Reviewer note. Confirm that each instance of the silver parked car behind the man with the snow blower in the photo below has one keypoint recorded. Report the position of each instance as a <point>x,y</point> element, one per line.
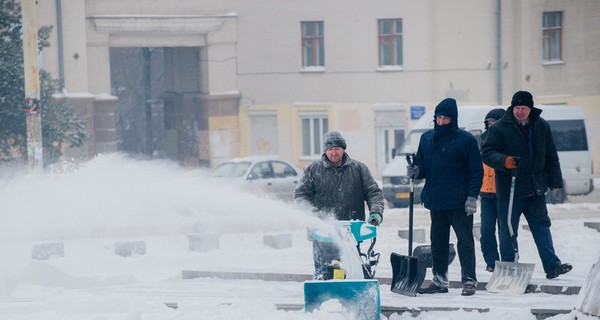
<point>263,175</point>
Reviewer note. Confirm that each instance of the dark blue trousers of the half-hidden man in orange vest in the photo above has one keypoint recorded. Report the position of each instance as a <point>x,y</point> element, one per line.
<point>489,220</point>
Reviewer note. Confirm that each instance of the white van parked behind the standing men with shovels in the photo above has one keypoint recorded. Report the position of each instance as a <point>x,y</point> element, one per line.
<point>568,129</point>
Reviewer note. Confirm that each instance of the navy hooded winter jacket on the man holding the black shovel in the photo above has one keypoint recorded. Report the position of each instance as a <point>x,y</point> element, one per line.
<point>450,161</point>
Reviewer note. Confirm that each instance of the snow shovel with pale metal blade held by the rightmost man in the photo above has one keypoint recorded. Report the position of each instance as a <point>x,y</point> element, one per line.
<point>511,277</point>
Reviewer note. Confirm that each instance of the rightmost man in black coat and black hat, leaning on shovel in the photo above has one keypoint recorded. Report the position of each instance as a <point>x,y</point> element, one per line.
<point>523,136</point>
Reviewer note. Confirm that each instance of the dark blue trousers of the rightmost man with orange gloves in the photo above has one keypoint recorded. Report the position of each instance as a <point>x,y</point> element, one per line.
<point>535,211</point>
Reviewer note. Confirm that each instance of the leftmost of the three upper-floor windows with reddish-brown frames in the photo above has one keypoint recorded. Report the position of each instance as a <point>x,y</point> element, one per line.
<point>313,46</point>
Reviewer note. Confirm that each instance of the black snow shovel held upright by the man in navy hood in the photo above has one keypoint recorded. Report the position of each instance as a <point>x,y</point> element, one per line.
<point>407,273</point>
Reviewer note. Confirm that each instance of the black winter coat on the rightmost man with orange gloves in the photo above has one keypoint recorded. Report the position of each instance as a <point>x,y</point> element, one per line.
<point>539,167</point>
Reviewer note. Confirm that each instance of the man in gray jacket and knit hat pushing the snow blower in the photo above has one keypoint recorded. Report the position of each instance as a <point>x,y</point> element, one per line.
<point>338,187</point>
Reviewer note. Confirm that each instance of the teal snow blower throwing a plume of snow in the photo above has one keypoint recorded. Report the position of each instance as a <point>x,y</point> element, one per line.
<point>352,281</point>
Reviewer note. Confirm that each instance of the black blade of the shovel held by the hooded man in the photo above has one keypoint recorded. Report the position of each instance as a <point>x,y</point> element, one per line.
<point>408,274</point>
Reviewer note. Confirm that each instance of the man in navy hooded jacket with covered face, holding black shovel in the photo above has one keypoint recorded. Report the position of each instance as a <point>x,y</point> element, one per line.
<point>449,159</point>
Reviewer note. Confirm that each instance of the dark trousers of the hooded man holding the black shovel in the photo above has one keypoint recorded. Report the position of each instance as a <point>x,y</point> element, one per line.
<point>441,221</point>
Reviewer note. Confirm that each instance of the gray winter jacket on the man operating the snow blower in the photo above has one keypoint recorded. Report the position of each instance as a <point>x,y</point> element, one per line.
<point>339,191</point>
